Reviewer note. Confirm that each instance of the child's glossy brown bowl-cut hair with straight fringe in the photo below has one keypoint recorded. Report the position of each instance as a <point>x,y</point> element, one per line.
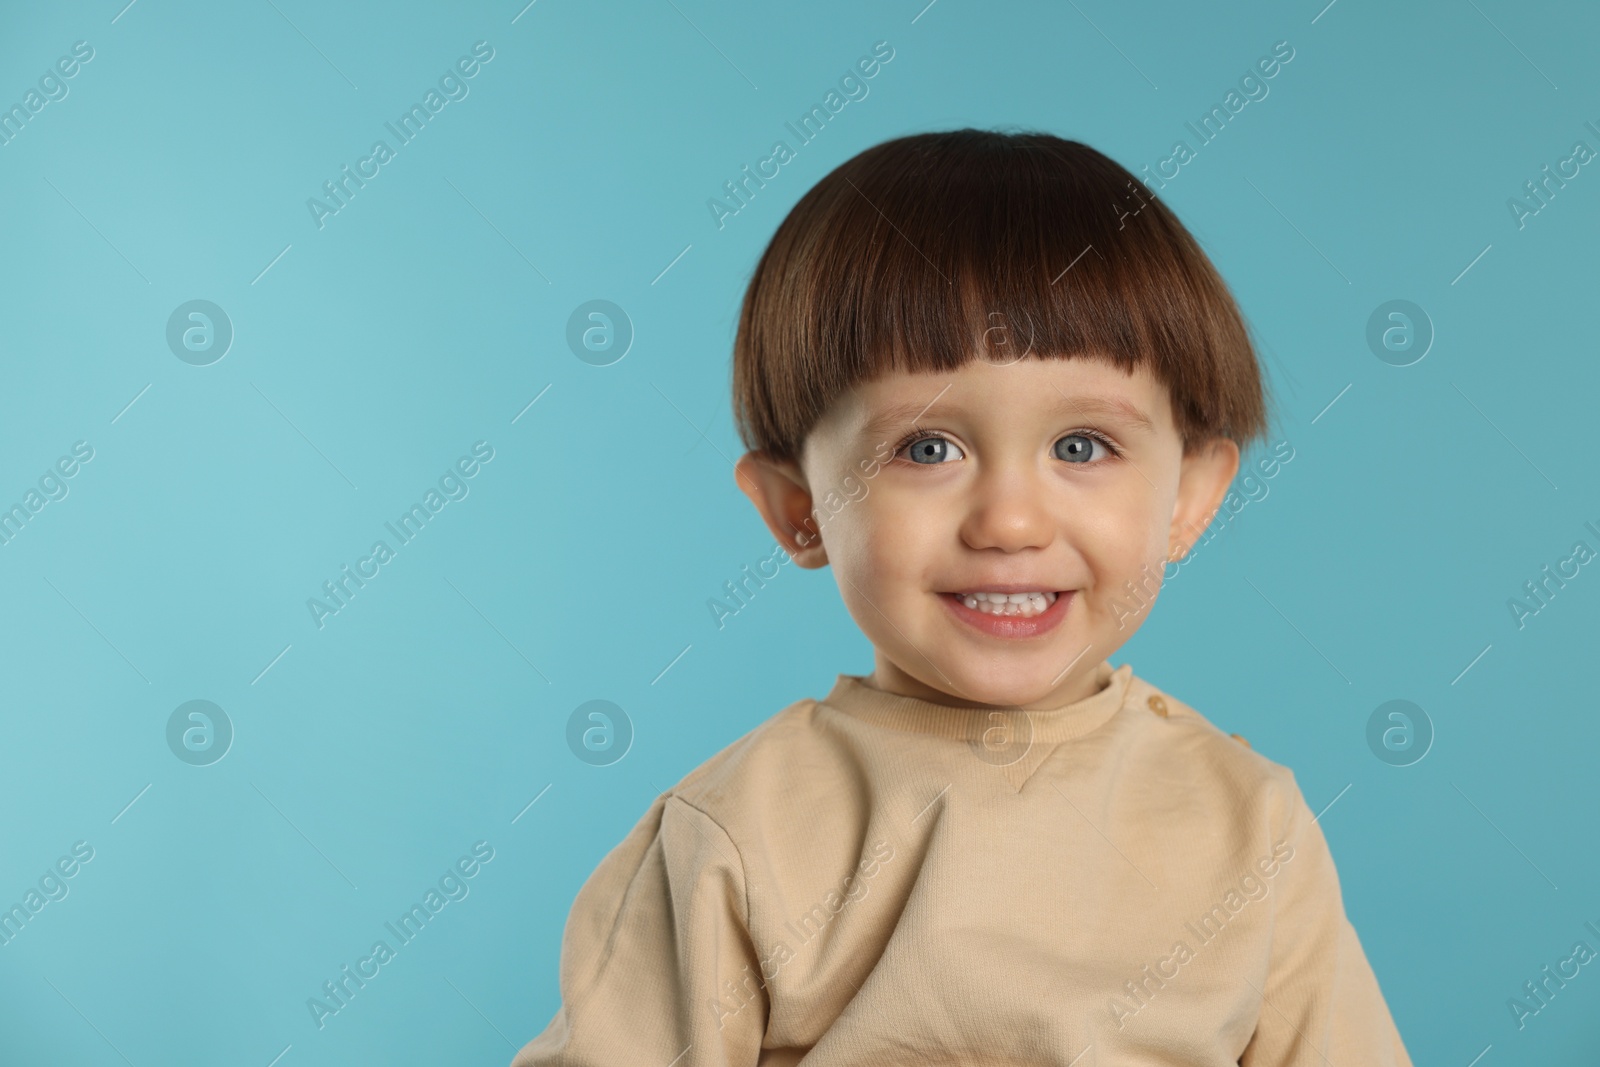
<point>932,250</point>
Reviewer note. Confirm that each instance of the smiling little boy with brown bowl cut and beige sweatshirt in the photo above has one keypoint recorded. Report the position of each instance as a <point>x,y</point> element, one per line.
<point>996,849</point>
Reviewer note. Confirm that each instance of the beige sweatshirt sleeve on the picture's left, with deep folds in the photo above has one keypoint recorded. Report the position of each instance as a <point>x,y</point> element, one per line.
<point>657,964</point>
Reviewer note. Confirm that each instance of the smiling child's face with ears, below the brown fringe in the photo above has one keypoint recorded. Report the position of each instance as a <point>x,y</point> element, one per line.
<point>991,478</point>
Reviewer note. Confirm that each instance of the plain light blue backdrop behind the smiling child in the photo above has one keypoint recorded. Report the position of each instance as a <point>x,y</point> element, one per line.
<point>428,314</point>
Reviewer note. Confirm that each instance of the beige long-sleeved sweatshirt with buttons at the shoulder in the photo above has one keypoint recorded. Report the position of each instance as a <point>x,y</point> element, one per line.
<point>874,879</point>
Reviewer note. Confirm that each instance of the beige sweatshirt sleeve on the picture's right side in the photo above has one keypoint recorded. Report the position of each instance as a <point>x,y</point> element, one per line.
<point>1321,1001</point>
